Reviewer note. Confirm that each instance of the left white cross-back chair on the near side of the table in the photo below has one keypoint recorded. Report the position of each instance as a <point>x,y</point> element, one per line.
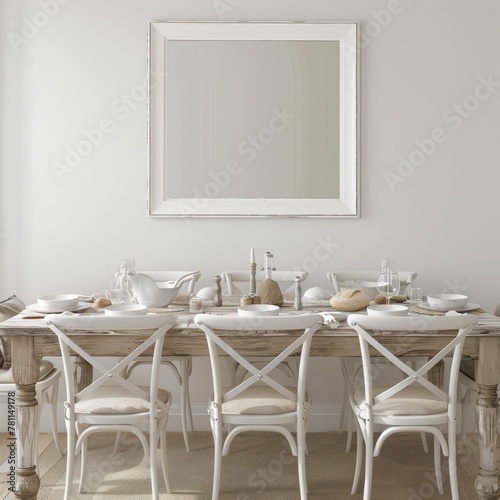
<point>111,402</point>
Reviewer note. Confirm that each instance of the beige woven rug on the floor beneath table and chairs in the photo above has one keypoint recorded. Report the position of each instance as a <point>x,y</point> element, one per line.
<point>260,466</point>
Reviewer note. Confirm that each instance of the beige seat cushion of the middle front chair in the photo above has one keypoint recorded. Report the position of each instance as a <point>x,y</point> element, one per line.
<point>260,400</point>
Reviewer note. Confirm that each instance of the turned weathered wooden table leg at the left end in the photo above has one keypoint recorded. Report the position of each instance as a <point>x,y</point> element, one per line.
<point>25,373</point>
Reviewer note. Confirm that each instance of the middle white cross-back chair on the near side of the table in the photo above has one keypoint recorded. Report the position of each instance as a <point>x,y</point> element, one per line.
<point>260,402</point>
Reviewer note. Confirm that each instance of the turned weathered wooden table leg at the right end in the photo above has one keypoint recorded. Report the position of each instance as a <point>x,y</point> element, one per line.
<point>487,483</point>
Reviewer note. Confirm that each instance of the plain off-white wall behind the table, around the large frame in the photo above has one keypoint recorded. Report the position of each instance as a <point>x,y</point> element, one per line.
<point>420,66</point>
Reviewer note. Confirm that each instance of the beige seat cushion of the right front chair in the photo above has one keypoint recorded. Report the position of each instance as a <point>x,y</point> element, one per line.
<point>413,400</point>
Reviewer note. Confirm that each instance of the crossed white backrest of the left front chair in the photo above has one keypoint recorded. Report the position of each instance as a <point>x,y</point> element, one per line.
<point>63,325</point>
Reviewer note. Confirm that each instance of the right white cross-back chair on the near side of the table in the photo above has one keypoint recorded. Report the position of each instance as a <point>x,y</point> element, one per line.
<point>413,404</point>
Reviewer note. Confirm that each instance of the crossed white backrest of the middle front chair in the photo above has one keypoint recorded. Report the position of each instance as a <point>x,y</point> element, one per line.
<point>307,323</point>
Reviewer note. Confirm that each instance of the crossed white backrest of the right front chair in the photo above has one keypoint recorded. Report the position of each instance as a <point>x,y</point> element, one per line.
<point>461,325</point>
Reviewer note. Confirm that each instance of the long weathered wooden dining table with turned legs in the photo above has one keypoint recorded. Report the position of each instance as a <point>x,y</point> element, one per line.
<point>31,340</point>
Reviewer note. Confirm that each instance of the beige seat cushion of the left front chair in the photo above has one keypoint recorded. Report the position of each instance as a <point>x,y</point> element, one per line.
<point>114,400</point>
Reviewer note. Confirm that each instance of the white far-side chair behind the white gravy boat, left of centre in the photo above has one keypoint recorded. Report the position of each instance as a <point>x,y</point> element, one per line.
<point>181,366</point>
